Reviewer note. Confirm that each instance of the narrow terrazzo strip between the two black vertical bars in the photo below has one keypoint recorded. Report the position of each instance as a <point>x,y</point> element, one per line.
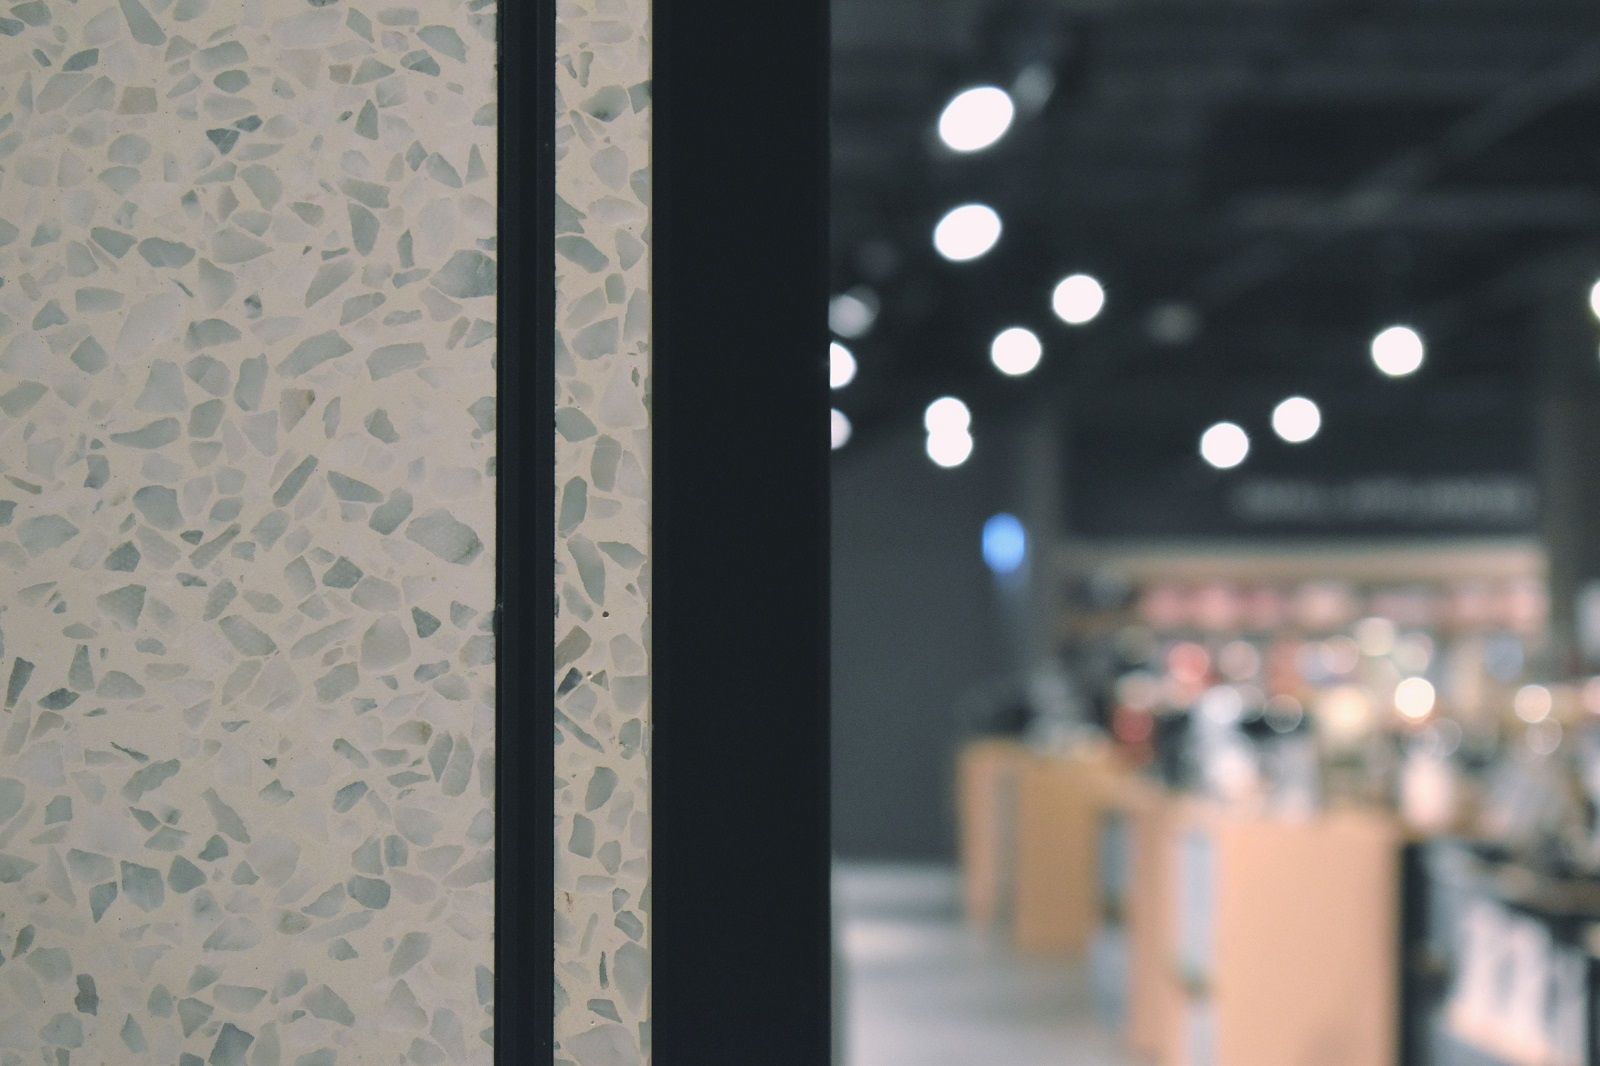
<point>602,459</point>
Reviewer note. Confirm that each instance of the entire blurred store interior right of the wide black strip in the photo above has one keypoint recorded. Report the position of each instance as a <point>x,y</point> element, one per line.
<point>1217,532</point>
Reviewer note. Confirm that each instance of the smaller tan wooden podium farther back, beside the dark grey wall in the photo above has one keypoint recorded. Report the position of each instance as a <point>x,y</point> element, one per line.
<point>1030,843</point>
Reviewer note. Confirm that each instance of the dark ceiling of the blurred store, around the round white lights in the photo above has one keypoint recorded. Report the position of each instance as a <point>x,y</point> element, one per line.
<point>1295,174</point>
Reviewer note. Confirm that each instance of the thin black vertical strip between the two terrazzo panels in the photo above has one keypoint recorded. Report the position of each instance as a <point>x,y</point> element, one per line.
<point>526,540</point>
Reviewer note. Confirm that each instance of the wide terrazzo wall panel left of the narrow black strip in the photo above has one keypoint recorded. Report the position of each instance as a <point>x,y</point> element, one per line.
<point>247,406</point>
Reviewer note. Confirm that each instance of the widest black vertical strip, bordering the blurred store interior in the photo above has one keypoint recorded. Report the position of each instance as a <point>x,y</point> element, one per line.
<point>740,918</point>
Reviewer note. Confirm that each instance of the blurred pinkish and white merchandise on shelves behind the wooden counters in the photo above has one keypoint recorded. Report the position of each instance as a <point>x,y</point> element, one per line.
<point>1430,699</point>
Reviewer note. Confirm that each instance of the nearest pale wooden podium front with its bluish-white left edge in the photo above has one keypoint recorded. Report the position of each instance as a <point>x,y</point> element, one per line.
<point>1281,940</point>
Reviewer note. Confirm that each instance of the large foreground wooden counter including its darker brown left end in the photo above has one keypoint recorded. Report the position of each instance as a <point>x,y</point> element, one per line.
<point>1247,940</point>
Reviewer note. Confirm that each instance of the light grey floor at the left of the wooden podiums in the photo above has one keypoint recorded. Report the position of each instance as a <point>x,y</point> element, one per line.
<point>922,990</point>
